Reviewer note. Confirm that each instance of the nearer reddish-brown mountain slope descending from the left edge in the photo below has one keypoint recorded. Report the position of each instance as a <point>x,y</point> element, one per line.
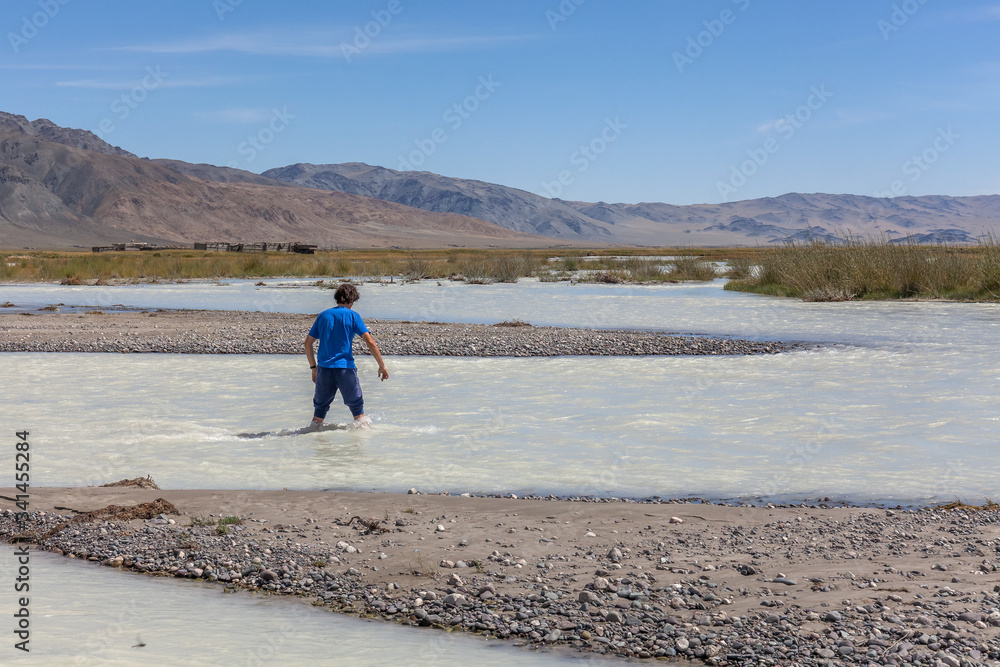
<point>55,194</point>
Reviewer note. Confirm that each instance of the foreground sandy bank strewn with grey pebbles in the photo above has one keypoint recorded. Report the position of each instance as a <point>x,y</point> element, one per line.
<point>720,585</point>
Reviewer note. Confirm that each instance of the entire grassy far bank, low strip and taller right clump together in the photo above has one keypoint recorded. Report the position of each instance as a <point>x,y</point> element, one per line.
<point>854,269</point>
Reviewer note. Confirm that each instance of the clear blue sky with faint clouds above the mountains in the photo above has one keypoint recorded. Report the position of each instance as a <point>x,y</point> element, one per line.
<point>671,100</point>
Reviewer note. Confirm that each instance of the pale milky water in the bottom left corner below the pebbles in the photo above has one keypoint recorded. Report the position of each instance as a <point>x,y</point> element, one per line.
<point>83,614</point>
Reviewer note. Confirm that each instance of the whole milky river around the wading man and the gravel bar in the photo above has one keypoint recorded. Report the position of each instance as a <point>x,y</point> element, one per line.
<point>902,407</point>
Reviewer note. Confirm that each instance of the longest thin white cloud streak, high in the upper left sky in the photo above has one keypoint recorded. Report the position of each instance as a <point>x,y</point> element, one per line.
<point>317,44</point>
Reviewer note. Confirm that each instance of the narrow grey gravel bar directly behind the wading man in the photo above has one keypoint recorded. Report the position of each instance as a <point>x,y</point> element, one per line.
<point>241,332</point>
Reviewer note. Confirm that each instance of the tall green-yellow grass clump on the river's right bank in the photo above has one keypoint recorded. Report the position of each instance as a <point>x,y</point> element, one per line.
<point>871,269</point>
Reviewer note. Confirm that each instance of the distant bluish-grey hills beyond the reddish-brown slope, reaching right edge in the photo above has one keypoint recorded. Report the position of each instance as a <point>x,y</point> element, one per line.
<point>793,217</point>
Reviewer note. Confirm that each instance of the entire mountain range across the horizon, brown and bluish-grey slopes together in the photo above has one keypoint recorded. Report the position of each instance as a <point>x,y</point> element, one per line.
<point>62,186</point>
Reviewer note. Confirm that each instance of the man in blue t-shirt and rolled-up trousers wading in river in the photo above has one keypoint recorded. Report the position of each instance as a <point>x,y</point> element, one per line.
<point>335,329</point>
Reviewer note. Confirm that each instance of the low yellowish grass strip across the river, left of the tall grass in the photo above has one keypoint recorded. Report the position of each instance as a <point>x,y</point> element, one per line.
<point>475,266</point>
